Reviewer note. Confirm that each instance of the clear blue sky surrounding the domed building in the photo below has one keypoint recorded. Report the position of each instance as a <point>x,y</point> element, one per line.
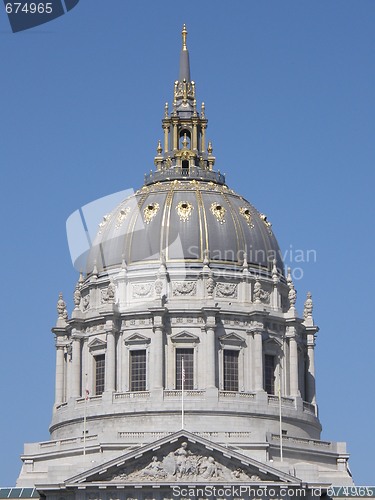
<point>289,93</point>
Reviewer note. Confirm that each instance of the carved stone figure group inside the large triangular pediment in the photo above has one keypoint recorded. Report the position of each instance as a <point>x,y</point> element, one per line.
<point>182,464</point>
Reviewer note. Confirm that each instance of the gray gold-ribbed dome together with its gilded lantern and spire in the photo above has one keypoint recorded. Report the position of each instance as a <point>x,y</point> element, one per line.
<point>185,211</point>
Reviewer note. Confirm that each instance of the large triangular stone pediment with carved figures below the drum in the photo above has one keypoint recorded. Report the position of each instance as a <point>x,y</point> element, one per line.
<point>180,458</point>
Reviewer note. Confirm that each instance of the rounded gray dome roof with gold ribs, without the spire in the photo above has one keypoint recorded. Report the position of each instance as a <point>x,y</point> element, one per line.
<point>183,219</point>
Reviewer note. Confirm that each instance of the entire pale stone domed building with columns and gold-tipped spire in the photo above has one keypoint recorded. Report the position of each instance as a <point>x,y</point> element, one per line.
<point>184,361</point>
